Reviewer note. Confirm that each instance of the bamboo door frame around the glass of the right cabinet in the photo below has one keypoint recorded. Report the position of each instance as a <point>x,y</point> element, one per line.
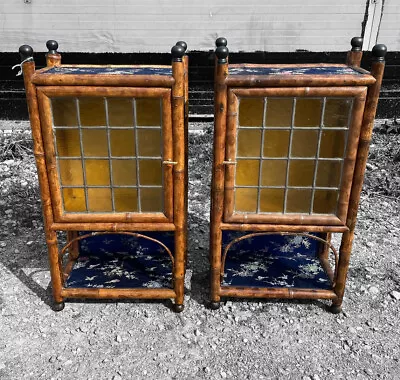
<point>357,93</point>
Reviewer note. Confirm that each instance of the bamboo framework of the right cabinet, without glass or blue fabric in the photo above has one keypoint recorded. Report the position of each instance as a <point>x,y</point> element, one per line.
<point>363,87</point>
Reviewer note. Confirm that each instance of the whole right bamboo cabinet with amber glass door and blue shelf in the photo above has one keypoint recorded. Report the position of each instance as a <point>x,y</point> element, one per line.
<point>290,149</point>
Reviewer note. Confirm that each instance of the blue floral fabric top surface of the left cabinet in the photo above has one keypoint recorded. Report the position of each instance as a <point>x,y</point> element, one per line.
<point>145,70</point>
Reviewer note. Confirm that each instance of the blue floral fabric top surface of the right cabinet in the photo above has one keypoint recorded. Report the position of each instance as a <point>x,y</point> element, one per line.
<point>315,70</point>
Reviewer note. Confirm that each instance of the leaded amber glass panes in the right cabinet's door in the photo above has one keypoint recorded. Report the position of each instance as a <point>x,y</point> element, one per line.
<point>282,135</point>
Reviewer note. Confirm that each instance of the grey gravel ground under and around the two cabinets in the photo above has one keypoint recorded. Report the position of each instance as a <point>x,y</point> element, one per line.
<point>244,339</point>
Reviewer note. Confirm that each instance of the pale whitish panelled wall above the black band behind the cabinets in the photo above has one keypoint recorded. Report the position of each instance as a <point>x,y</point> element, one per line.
<point>155,25</point>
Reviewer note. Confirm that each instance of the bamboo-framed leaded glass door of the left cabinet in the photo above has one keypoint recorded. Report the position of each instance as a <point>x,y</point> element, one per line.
<point>108,151</point>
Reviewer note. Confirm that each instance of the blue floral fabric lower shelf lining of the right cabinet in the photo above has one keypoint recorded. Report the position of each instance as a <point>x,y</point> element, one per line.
<point>273,261</point>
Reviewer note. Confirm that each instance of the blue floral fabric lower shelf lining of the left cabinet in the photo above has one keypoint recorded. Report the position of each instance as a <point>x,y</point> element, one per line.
<point>123,261</point>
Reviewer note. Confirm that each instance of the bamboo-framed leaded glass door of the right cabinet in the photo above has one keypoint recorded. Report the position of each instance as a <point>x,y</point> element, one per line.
<point>291,157</point>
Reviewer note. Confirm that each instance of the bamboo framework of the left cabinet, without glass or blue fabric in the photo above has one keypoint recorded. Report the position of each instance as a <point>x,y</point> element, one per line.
<point>173,91</point>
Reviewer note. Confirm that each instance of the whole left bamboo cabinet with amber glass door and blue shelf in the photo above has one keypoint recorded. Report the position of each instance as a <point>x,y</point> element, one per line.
<point>111,155</point>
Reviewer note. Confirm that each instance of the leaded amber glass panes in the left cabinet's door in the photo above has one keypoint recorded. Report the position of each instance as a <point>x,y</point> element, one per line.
<point>111,156</point>
